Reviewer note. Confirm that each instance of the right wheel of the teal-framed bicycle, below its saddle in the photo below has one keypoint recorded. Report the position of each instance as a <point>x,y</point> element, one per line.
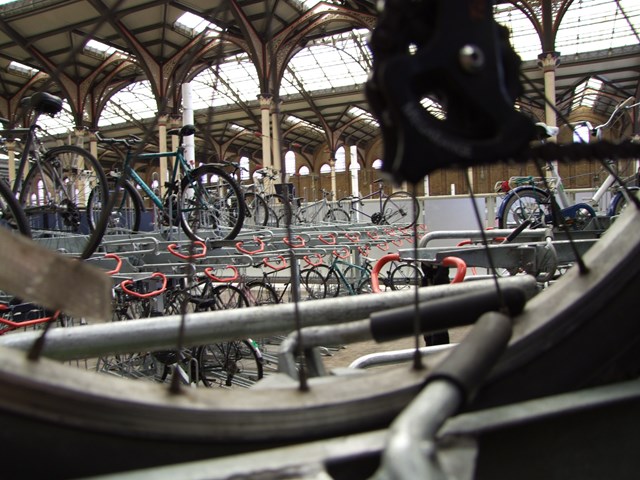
<point>211,205</point>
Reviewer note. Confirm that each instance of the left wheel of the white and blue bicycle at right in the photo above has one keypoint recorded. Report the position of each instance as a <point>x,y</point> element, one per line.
<point>525,204</point>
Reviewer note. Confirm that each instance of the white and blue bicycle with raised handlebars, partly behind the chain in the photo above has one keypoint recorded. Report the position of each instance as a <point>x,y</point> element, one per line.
<point>536,199</point>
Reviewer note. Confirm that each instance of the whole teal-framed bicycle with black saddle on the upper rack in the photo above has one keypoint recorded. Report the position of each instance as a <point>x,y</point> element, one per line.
<point>205,201</point>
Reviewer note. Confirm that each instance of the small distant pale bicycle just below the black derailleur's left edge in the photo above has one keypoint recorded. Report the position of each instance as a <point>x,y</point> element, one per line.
<point>400,209</point>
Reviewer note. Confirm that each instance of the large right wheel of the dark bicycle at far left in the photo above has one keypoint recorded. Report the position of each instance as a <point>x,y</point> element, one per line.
<point>55,196</point>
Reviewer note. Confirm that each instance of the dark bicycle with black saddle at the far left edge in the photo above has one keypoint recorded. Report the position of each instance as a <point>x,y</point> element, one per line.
<point>54,195</point>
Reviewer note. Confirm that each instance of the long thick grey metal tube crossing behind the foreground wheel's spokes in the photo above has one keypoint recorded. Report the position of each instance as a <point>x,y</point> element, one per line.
<point>209,327</point>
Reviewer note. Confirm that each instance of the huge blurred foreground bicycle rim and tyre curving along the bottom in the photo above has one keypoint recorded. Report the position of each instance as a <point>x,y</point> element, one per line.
<point>553,321</point>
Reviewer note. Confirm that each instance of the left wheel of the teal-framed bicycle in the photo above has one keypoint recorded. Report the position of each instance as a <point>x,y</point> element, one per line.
<point>126,214</point>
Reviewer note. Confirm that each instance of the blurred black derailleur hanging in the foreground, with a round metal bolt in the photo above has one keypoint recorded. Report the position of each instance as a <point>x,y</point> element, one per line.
<point>431,60</point>
